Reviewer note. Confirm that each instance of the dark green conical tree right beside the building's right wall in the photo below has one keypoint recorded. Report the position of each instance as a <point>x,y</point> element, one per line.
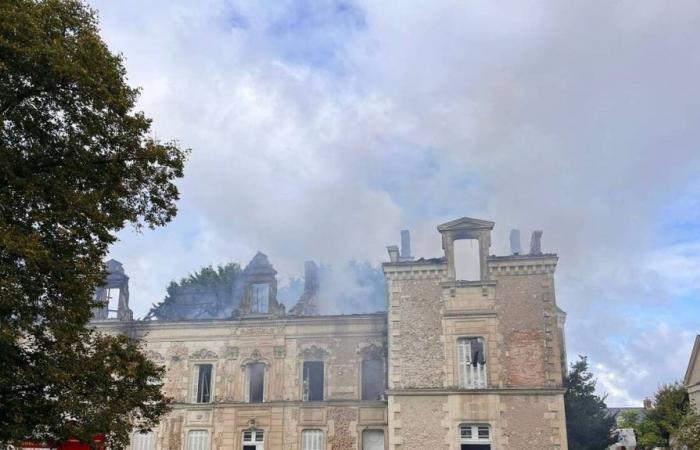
<point>588,424</point>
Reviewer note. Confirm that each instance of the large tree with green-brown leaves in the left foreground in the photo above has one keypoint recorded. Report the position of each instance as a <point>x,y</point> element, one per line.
<point>77,164</point>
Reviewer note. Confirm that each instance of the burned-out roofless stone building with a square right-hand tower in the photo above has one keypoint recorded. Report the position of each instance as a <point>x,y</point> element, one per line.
<point>451,364</point>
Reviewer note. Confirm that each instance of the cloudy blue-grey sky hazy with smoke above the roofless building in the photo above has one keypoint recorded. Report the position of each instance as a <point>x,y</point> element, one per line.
<point>319,129</point>
